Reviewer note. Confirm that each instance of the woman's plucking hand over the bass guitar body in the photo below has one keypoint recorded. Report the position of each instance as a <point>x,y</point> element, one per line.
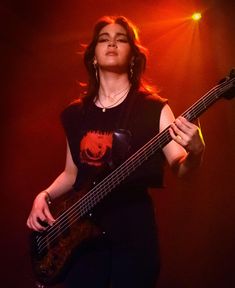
<point>40,213</point>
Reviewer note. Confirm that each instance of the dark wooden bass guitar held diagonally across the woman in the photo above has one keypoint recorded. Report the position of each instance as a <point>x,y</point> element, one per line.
<point>53,248</point>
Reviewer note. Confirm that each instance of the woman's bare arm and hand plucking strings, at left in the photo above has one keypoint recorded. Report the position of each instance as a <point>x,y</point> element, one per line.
<point>62,184</point>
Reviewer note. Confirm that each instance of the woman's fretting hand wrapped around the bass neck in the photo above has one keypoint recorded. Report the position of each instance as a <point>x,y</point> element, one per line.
<point>187,135</point>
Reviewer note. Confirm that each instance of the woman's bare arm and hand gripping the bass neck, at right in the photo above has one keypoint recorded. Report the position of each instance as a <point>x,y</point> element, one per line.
<point>185,152</point>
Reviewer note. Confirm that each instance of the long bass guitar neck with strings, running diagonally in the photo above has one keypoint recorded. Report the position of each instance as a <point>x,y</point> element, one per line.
<point>116,177</point>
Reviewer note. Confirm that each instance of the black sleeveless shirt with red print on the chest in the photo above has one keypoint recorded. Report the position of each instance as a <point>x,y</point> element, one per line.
<point>91,135</point>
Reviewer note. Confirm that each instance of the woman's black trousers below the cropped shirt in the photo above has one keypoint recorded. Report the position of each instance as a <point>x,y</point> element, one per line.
<point>126,257</point>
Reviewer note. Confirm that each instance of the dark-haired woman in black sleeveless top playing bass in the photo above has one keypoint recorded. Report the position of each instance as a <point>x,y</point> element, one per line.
<point>115,119</point>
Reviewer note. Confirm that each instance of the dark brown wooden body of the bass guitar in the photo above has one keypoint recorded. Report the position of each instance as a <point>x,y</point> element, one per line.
<point>50,264</point>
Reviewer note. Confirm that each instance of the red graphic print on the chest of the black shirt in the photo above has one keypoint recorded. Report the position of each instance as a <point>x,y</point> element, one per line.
<point>95,147</point>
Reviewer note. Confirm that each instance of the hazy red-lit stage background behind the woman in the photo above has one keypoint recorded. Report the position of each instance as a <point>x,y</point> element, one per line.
<point>41,64</point>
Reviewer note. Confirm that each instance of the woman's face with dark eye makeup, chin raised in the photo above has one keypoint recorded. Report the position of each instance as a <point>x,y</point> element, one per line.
<point>113,51</point>
